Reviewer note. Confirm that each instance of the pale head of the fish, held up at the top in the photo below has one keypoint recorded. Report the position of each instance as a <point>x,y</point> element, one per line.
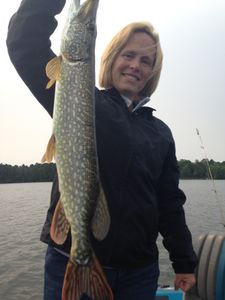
<point>79,33</point>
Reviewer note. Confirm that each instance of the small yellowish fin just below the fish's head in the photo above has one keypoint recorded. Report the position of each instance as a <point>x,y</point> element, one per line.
<point>53,69</point>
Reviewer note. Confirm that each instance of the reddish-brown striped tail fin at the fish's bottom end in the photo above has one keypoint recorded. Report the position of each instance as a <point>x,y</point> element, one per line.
<point>85,279</point>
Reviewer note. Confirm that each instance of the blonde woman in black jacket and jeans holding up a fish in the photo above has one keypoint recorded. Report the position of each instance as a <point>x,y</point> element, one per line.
<point>138,168</point>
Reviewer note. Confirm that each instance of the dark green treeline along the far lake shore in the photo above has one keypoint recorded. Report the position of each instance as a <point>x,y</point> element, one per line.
<point>46,172</point>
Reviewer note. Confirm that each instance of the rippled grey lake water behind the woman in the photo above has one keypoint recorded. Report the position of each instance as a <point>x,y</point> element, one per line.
<point>22,213</point>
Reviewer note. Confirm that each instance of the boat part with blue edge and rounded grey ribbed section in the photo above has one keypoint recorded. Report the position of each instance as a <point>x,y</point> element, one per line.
<point>210,273</point>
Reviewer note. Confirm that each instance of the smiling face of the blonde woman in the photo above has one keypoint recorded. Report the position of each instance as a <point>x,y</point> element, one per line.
<point>133,66</point>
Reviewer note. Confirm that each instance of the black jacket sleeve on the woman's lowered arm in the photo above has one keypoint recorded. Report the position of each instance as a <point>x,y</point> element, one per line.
<point>172,225</point>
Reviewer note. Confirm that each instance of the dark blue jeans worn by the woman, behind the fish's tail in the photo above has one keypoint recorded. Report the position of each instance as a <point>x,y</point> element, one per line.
<point>137,284</point>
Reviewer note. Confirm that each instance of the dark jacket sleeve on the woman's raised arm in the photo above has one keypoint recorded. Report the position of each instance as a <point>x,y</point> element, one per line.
<point>29,45</point>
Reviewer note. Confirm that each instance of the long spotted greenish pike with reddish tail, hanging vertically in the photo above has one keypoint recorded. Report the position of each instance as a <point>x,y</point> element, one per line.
<point>82,206</point>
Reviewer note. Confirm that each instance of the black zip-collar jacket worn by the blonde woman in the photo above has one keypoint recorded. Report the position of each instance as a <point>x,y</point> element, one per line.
<point>136,152</point>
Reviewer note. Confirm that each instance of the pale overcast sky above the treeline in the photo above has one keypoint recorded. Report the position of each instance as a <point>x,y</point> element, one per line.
<point>190,95</point>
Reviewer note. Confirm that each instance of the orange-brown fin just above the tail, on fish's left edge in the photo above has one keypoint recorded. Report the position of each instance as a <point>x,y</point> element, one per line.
<point>60,225</point>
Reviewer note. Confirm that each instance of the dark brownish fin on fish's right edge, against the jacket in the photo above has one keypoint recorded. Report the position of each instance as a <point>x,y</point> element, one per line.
<point>101,219</point>
